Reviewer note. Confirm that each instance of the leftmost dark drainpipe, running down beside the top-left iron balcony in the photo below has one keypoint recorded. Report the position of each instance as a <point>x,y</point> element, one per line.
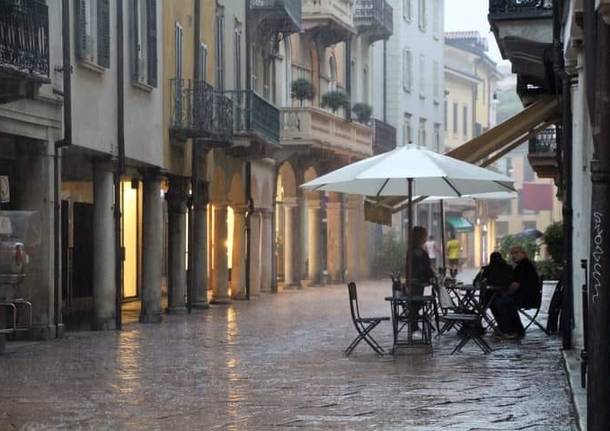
<point>66,141</point>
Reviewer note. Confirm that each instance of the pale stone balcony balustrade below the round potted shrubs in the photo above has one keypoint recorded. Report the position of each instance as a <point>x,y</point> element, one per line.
<point>315,128</point>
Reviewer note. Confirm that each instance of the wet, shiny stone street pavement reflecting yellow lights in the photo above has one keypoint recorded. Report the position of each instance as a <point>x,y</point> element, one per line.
<point>276,363</point>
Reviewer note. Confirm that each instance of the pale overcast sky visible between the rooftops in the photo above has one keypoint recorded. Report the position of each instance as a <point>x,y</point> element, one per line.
<point>465,15</point>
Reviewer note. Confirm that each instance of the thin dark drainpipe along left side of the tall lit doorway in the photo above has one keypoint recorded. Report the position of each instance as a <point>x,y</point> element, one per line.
<point>119,251</point>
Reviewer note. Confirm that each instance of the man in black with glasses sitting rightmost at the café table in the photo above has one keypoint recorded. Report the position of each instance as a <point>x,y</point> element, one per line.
<point>521,292</point>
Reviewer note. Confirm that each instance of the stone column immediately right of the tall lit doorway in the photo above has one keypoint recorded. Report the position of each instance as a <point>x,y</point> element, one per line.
<point>152,249</point>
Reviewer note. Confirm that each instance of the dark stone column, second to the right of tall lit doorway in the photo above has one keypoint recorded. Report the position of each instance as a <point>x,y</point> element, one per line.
<point>176,209</point>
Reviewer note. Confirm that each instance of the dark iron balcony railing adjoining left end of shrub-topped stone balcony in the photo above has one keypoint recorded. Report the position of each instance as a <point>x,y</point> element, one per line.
<point>253,115</point>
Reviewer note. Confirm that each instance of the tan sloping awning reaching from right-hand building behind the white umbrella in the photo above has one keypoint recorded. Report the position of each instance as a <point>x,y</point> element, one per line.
<point>488,147</point>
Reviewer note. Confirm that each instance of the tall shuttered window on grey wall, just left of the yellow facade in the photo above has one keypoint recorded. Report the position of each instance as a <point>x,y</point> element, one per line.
<point>144,41</point>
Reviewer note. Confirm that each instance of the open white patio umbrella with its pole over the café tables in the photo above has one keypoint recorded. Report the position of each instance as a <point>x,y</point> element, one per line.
<point>411,171</point>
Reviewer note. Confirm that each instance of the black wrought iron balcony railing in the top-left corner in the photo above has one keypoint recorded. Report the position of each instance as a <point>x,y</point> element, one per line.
<point>24,38</point>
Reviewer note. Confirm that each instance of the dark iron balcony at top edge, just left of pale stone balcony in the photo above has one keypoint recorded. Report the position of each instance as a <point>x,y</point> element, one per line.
<point>280,15</point>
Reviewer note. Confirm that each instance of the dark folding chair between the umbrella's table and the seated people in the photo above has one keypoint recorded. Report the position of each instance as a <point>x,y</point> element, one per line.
<point>469,321</point>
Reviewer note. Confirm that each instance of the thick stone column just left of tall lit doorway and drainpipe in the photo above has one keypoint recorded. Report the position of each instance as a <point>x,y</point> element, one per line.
<point>104,237</point>
